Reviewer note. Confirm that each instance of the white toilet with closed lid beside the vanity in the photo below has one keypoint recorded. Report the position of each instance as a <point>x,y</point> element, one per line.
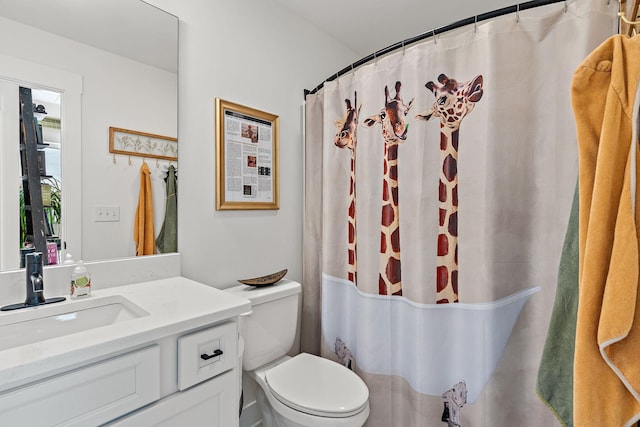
<point>300,391</point>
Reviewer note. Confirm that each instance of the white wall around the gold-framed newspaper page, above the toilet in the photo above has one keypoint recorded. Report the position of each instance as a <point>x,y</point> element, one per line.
<point>254,53</point>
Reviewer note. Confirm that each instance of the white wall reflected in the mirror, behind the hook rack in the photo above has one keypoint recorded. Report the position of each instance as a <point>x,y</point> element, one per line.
<point>139,97</point>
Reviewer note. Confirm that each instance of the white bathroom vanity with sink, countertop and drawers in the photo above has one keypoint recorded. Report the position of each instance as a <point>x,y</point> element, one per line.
<point>163,352</point>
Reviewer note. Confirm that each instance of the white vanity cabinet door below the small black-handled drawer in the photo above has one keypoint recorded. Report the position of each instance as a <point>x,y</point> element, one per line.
<point>213,403</point>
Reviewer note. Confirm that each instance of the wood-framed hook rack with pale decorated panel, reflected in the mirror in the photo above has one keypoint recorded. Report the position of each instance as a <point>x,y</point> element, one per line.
<point>133,143</point>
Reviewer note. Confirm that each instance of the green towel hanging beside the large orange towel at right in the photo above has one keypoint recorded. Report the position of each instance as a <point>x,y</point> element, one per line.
<point>555,375</point>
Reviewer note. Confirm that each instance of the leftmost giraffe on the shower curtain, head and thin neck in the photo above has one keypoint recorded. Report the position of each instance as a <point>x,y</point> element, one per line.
<point>346,137</point>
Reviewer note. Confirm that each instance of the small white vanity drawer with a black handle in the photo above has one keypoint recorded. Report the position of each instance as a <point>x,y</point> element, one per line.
<point>206,353</point>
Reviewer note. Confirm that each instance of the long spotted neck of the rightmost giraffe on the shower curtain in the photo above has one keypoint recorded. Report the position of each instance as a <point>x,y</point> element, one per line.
<point>447,260</point>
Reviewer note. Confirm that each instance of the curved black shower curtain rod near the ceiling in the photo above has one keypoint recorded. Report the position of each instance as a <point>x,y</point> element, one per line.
<point>432,33</point>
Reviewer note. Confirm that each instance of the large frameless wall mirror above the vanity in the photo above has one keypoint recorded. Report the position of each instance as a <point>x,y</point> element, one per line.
<point>93,65</point>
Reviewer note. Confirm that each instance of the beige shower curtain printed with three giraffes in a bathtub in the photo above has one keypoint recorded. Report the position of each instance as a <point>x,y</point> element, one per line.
<point>438,186</point>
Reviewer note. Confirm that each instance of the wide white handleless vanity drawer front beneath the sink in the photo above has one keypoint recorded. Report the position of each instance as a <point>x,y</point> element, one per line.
<point>87,396</point>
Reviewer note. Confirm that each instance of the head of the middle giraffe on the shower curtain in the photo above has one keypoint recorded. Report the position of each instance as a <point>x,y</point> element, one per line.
<point>392,117</point>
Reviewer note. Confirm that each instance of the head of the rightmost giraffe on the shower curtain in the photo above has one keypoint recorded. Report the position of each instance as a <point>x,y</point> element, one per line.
<point>453,100</point>
